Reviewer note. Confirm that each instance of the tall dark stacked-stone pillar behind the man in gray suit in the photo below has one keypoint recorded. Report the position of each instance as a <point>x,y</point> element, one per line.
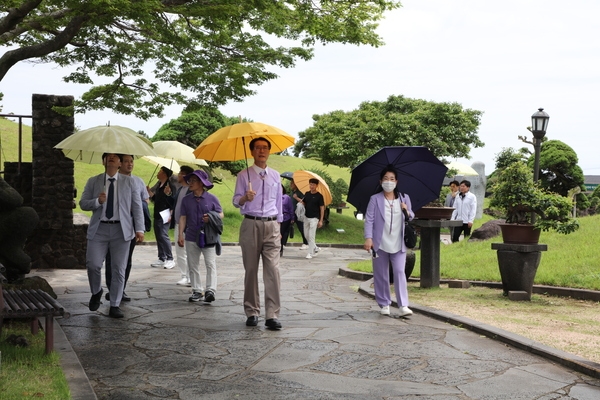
<point>56,242</point>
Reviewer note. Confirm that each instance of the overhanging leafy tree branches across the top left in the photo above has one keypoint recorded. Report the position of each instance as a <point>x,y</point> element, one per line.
<point>207,51</point>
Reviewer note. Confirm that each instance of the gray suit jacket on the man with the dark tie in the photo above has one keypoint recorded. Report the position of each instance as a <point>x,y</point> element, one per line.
<point>129,203</point>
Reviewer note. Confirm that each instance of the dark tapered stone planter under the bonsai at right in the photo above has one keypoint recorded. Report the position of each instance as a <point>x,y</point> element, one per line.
<point>518,265</point>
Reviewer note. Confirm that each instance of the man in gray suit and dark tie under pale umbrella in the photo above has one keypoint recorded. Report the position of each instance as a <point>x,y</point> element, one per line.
<point>116,204</point>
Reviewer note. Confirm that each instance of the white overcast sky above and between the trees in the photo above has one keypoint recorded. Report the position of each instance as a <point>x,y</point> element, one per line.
<point>506,59</point>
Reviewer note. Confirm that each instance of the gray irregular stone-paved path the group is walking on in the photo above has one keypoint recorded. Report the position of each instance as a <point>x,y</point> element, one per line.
<point>334,343</point>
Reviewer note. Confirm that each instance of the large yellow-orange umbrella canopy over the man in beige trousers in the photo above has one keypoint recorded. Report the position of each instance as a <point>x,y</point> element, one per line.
<point>231,143</point>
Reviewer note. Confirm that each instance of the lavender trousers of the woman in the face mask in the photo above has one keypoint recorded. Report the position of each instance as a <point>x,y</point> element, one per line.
<point>382,278</point>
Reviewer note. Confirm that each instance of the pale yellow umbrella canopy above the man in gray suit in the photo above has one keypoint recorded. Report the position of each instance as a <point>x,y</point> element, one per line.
<point>89,145</point>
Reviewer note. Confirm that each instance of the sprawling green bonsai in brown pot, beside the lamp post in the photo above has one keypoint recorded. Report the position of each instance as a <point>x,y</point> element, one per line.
<point>518,198</point>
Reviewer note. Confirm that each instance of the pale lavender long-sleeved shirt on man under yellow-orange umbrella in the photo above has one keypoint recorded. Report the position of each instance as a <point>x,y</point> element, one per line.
<point>267,201</point>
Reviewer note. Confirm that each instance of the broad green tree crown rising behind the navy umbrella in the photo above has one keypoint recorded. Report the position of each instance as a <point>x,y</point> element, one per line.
<point>347,138</point>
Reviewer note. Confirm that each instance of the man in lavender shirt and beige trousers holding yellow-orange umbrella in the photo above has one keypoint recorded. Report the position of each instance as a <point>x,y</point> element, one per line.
<point>258,196</point>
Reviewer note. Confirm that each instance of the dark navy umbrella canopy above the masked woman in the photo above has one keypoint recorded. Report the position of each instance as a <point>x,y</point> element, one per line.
<point>420,175</point>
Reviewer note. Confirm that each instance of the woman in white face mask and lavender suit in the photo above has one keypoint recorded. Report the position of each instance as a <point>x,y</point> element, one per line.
<point>384,233</point>
